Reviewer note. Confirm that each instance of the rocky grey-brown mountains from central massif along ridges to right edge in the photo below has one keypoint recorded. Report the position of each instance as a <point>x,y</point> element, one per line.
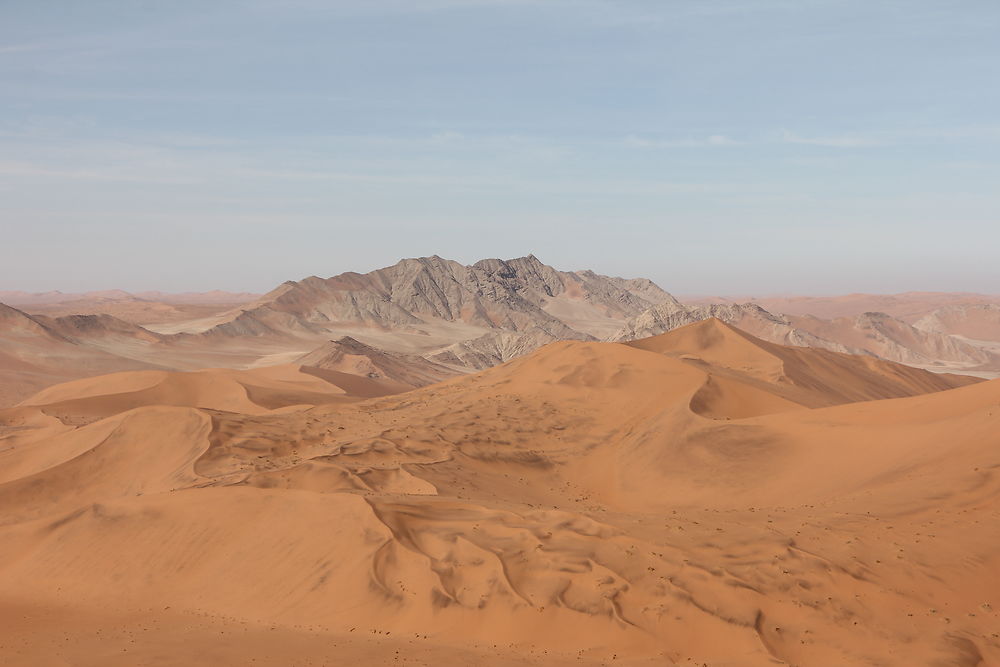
<point>477,316</point>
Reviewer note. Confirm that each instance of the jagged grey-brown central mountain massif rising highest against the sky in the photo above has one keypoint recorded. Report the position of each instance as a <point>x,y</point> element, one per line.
<point>493,294</point>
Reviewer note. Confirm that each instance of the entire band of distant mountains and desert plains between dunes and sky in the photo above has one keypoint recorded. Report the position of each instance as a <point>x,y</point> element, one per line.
<point>458,318</point>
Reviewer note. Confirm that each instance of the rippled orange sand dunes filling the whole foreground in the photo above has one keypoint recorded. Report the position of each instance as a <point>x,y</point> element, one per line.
<point>700,496</point>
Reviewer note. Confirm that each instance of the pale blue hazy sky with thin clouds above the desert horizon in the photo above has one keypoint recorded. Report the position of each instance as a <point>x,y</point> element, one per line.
<point>731,146</point>
